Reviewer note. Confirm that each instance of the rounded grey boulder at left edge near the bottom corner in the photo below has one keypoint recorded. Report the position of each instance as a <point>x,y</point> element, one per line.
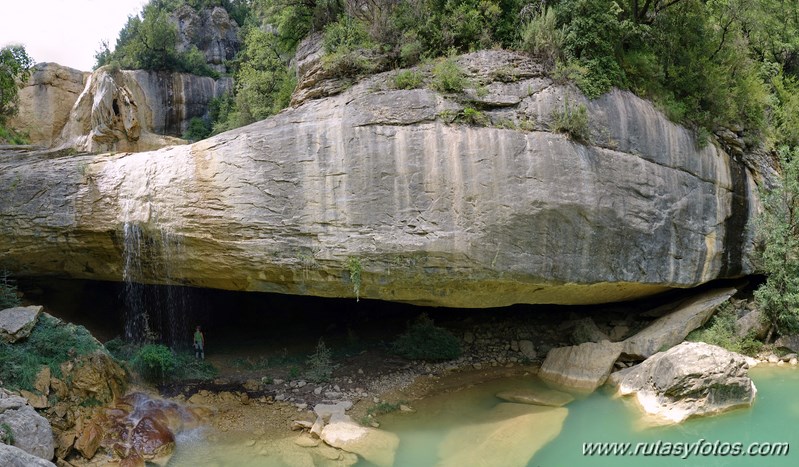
<point>31,432</point>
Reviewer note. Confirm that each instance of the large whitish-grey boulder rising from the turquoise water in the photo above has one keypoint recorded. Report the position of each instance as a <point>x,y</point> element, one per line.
<point>691,379</point>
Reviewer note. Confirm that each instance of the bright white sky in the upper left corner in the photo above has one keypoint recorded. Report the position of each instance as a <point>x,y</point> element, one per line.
<point>68,32</point>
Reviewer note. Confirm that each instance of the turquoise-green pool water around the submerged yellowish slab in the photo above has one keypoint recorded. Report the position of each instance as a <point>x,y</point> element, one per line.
<point>602,418</point>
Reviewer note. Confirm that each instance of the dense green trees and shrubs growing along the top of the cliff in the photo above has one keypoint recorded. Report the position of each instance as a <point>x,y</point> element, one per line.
<point>706,63</point>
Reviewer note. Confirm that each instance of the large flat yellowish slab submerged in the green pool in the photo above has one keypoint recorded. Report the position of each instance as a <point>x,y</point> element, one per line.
<point>509,435</point>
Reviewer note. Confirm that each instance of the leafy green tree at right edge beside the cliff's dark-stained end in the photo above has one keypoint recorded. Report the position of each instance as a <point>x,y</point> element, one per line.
<point>778,298</point>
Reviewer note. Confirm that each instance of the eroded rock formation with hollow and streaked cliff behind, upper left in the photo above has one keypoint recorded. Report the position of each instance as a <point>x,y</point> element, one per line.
<point>137,110</point>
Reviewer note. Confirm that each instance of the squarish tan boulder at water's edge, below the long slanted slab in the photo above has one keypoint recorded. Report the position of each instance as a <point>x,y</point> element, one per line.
<point>582,367</point>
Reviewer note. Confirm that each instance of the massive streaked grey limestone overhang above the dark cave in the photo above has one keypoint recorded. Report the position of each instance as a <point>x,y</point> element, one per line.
<point>393,185</point>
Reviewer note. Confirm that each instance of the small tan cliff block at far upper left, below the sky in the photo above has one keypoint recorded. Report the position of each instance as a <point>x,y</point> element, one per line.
<point>46,100</point>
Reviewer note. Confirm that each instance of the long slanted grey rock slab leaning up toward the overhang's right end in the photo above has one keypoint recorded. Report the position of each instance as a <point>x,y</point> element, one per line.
<point>669,330</point>
